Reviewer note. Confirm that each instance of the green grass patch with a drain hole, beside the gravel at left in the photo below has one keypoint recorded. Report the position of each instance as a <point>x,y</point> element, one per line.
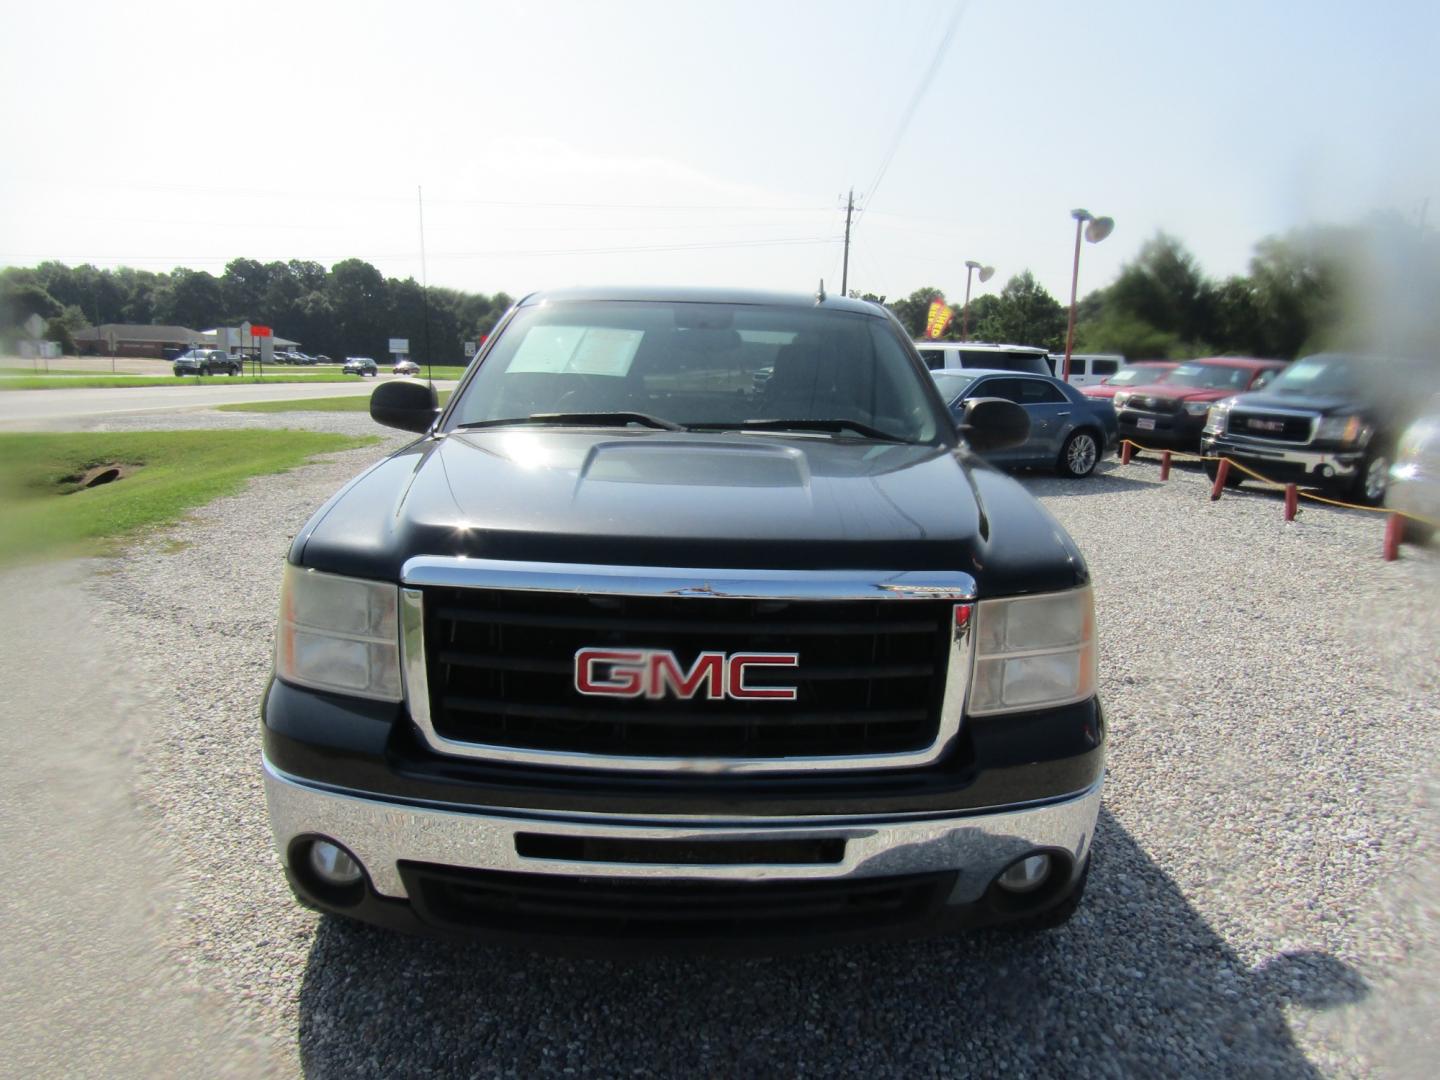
<point>172,473</point>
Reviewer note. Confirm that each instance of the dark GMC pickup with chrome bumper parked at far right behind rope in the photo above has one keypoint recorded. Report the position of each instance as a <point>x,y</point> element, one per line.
<point>1331,420</point>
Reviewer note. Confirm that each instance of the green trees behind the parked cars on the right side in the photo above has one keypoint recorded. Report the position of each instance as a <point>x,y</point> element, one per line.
<point>1370,287</point>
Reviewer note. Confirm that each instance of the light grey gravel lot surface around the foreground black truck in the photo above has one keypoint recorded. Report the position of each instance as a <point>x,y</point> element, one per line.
<point>1264,892</point>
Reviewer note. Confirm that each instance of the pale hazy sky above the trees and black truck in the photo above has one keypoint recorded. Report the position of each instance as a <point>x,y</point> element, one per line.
<point>705,143</point>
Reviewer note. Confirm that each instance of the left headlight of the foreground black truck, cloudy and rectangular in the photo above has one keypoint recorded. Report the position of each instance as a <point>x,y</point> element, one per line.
<point>339,634</point>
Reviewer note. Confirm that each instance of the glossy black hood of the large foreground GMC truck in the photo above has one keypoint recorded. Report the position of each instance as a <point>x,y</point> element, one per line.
<point>692,500</point>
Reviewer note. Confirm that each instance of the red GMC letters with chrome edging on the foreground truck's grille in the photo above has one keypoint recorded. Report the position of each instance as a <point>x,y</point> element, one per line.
<point>656,675</point>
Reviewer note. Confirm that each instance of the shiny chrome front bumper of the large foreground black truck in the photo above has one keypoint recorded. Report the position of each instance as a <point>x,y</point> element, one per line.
<point>384,833</point>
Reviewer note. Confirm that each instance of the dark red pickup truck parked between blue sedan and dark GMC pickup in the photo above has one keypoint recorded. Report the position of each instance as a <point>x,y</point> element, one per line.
<point>1171,415</point>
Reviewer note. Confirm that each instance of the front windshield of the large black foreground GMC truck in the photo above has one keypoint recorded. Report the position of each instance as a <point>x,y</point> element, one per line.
<point>701,365</point>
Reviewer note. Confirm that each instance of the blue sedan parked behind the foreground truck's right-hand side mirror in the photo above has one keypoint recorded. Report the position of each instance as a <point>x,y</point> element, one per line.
<point>1069,433</point>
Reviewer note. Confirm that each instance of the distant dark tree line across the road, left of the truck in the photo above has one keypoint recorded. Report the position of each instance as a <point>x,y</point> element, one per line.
<point>348,310</point>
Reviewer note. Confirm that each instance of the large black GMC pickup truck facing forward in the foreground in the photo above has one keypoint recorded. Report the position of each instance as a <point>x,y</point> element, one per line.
<point>630,647</point>
